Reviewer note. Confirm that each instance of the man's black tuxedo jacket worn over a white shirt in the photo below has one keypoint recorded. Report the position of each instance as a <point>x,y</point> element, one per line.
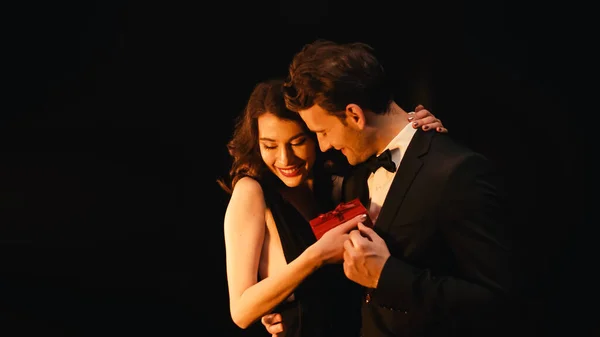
<point>443,222</point>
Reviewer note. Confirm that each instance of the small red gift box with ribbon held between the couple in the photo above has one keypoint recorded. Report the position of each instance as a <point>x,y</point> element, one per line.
<point>343,212</point>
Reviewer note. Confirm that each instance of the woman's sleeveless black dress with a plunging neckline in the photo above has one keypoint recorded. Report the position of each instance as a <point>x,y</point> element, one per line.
<point>326,303</point>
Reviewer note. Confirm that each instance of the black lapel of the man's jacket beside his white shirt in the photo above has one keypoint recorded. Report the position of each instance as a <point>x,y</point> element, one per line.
<point>408,169</point>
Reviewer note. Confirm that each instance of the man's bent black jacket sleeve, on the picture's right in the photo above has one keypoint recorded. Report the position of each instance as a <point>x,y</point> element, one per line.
<point>472,225</point>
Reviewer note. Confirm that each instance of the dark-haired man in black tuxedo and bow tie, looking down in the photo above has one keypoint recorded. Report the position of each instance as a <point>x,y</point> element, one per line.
<point>437,262</point>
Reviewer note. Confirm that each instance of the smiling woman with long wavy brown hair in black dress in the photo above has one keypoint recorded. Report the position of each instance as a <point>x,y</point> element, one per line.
<point>278,181</point>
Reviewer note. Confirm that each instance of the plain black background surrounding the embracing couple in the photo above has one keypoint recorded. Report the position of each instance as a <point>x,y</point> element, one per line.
<point>117,114</point>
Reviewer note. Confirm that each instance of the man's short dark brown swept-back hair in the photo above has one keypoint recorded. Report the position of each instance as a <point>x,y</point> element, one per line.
<point>334,75</point>
